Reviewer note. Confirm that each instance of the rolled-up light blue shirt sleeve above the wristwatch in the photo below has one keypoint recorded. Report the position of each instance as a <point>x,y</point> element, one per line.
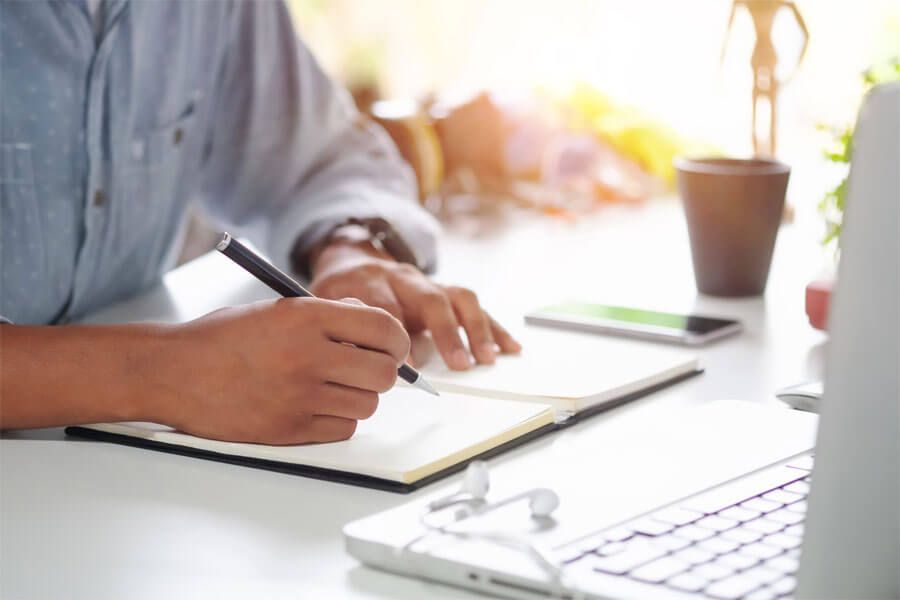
<point>289,157</point>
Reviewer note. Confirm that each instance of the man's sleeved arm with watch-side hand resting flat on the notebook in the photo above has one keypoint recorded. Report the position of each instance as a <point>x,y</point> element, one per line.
<point>290,158</point>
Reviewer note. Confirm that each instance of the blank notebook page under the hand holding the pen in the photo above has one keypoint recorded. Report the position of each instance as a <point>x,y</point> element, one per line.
<point>410,436</point>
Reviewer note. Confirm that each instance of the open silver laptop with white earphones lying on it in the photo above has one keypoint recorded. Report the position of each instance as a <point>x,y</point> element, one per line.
<point>752,536</point>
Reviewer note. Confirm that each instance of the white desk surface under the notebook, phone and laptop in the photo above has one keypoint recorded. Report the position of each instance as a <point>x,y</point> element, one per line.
<point>88,520</point>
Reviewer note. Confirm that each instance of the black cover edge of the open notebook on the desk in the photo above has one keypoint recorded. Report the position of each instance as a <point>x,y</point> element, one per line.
<point>365,480</point>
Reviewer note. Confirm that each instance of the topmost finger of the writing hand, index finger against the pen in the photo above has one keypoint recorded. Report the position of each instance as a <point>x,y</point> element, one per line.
<point>364,326</point>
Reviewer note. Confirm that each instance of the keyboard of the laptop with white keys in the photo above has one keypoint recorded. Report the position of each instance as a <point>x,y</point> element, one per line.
<point>741,540</point>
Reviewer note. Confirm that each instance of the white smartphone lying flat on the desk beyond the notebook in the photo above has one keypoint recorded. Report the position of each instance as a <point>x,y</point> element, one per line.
<point>692,330</point>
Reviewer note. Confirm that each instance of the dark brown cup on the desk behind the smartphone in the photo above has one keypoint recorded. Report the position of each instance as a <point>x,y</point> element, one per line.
<point>733,208</point>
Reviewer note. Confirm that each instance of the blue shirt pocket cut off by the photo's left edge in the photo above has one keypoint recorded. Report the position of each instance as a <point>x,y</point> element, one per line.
<point>22,254</point>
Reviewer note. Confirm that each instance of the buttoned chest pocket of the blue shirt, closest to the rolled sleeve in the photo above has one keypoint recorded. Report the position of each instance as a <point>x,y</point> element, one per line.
<point>155,188</point>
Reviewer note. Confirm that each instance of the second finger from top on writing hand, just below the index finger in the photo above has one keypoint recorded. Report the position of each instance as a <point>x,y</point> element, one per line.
<point>360,368</point>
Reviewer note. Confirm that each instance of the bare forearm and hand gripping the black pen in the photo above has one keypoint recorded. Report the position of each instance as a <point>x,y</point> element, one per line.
<point>288,371</point>
